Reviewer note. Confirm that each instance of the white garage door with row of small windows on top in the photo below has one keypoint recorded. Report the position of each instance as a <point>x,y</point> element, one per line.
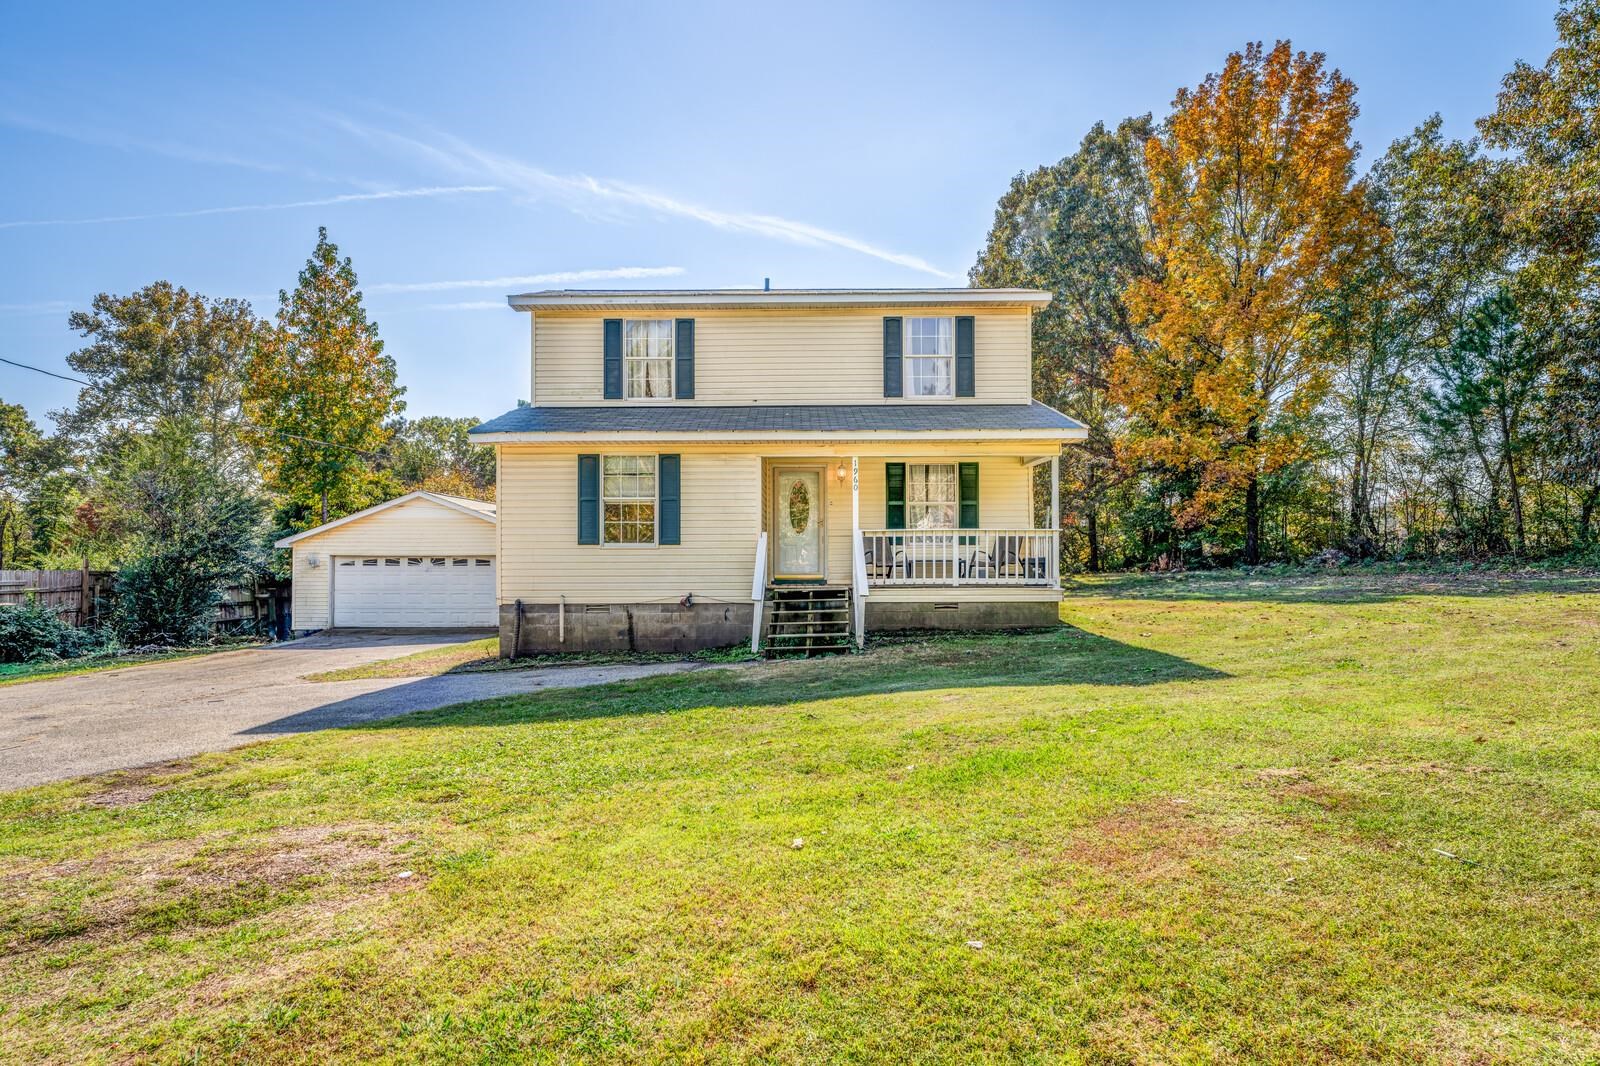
<point>414,593</point>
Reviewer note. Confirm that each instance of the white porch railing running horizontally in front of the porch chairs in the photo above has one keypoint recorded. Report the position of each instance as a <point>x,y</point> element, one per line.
<point>983,558</point>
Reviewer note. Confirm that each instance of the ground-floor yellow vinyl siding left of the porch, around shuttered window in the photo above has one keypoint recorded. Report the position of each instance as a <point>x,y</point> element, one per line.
<point>543,561</point>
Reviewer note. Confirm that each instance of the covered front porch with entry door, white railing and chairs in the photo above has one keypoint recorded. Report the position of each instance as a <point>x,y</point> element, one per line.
<point>930,563</point>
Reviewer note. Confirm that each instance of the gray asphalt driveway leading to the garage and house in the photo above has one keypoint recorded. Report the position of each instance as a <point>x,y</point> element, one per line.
<point>143,715</point>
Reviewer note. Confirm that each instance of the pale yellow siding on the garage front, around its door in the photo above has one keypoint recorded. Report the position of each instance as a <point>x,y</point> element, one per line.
<point>414,529</point>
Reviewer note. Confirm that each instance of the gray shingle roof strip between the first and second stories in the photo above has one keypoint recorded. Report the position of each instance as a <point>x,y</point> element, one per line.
<point>759,419</point>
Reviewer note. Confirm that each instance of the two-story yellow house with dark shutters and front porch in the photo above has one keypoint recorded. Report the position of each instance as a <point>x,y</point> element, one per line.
<point>788,467</point>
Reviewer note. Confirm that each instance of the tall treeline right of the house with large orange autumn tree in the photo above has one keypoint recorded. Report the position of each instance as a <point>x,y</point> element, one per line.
<point>1278,358</point>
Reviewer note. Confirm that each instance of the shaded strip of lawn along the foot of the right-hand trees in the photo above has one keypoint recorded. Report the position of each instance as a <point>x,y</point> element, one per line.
<point>1335,587</point>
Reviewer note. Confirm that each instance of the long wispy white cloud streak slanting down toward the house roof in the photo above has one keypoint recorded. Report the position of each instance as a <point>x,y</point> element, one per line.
<point>609,199</point>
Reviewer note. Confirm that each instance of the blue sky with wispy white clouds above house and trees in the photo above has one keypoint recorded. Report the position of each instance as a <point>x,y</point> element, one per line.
<point>652,146</point>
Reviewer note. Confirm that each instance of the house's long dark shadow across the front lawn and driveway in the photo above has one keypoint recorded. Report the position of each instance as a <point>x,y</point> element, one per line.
<point>1062,657</point>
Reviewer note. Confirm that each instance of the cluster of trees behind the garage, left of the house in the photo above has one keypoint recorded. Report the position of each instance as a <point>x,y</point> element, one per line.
<point>202,433</point>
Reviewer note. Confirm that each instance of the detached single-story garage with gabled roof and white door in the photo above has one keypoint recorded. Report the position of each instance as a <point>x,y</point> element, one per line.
<point>423,561</point>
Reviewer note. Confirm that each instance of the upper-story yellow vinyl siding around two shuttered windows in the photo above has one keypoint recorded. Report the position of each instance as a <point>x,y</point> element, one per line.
<point>782,356</point>
